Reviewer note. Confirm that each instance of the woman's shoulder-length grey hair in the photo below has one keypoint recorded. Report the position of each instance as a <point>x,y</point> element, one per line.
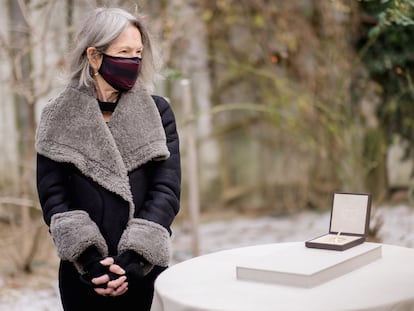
<point>99,30</point>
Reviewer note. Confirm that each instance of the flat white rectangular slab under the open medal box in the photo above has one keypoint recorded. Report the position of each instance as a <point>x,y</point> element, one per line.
<point>305,267</point>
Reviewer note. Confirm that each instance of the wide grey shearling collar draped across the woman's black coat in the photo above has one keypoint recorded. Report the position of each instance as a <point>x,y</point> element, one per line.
<point>72,129</point>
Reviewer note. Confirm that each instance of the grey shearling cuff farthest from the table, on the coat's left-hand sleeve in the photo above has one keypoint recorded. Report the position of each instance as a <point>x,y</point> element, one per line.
<point>73,232</point>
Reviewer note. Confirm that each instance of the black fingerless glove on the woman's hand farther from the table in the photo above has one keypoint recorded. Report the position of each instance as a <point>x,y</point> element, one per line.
<point>90,260</point>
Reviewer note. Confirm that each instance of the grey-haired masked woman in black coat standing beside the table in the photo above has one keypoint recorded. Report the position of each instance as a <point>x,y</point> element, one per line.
<point>108,169</point>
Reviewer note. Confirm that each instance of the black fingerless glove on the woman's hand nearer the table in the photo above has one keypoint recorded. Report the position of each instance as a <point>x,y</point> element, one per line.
<point>133,264</point>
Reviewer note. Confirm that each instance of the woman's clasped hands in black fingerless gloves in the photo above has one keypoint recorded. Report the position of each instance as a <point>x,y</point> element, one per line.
<point>111,276</point>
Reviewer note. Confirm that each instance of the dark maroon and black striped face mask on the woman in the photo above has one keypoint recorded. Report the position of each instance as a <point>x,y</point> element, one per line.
<point>120,72</point>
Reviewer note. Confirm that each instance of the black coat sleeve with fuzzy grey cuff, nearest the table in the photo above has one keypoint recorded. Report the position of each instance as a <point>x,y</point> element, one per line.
<point>148,233</point>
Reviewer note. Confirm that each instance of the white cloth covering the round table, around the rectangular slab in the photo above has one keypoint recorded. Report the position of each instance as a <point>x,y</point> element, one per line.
<point>209,283</point>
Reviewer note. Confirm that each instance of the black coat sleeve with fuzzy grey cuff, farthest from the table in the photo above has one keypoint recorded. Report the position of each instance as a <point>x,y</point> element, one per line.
<point>72,230</point>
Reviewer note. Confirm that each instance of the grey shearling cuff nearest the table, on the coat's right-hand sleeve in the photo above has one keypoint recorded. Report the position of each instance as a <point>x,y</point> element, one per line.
<point>149,239</point>
